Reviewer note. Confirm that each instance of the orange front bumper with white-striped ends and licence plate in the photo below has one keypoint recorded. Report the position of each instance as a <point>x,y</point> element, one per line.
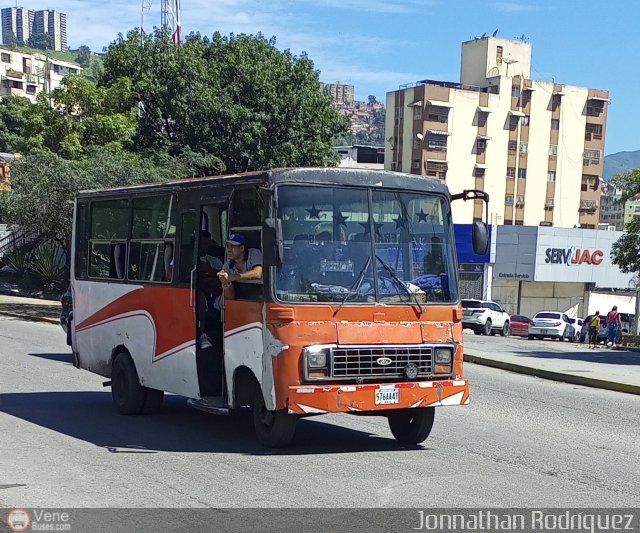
<point>318,399</point>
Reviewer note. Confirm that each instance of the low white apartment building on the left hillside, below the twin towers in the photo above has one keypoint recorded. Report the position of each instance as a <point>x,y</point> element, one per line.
<point>26,74</point>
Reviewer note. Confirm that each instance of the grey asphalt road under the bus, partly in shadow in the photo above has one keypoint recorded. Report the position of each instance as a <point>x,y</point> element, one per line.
<point>522,442</point>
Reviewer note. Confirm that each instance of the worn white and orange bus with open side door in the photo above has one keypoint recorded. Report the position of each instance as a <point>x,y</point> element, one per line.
<point>357,310</point>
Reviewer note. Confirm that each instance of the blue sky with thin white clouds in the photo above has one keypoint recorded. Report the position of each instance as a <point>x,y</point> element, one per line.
<point>377,45</point>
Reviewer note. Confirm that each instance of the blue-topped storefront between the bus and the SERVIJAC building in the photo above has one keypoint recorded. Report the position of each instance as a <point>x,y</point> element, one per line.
<point>473,270</point>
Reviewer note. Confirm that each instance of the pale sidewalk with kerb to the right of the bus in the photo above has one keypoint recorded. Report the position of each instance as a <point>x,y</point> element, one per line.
<point>602,368</point>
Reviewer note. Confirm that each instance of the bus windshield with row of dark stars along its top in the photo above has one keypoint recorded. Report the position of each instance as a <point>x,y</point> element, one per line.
<point>361,246</point>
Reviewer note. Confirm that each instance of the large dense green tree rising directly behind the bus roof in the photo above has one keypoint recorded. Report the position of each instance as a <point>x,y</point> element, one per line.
<point>237,101</point>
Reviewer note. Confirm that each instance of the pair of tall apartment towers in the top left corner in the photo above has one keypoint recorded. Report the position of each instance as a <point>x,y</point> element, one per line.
<point>22,23</point>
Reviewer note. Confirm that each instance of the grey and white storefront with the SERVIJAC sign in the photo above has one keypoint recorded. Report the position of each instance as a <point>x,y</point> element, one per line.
<point>553,269</point>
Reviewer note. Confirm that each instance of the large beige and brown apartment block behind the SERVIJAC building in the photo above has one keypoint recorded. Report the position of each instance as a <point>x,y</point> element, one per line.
<point>536,147</point>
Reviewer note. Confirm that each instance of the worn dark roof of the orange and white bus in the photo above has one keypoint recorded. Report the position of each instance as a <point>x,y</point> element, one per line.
<point>306,175</point>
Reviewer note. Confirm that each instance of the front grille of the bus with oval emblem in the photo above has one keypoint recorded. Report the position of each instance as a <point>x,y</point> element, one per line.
<point>379,361</point>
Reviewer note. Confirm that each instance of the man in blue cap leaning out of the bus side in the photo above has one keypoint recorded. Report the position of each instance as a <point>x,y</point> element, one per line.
<point>244,264</point>
